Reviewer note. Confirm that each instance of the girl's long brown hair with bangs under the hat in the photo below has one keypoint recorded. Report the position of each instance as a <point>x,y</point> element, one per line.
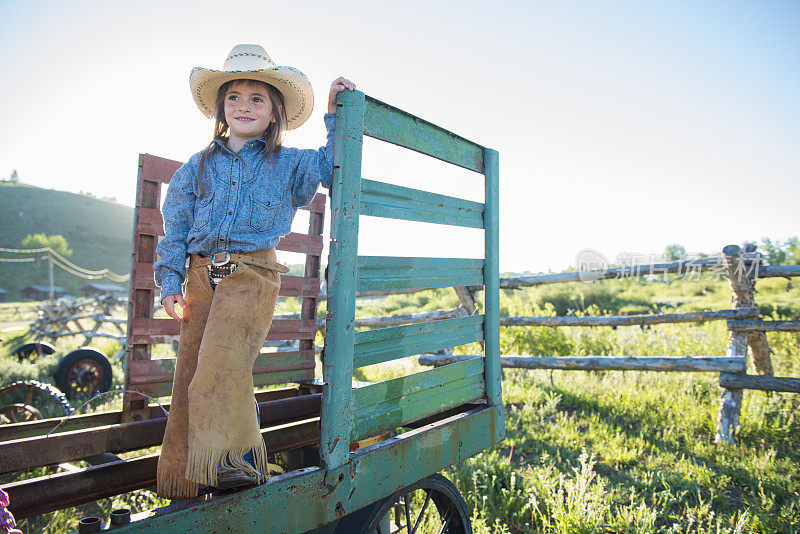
<point>273,135</point>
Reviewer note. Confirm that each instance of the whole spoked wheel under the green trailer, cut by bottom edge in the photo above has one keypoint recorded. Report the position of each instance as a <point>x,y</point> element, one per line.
<point>432,504</point>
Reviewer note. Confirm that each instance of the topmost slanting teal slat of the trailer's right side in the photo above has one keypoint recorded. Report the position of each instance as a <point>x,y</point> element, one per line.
<point>395,126</point>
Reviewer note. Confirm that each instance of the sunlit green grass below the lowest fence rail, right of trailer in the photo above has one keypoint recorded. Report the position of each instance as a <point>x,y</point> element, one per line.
<point>634,452</point>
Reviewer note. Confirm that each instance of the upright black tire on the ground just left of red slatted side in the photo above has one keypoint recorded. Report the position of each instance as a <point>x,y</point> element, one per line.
<point>82,373</point>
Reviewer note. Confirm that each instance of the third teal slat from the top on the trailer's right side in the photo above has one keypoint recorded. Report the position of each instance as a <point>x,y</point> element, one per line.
<point>387,272</point>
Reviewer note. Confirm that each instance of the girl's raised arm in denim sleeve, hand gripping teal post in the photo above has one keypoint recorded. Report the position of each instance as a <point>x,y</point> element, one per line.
<point>315,166</point>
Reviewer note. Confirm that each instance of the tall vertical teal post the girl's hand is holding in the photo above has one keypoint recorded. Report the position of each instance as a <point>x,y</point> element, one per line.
<point>337,369</point>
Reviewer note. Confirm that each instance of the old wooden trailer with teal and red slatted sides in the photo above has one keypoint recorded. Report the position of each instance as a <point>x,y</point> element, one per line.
<point>333,483</point>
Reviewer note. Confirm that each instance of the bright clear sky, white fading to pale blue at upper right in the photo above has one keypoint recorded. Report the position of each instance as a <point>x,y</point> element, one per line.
<point>621,126</point>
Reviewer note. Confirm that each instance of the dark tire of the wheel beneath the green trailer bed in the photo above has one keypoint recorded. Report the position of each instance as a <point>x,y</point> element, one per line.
<point>445,497</point>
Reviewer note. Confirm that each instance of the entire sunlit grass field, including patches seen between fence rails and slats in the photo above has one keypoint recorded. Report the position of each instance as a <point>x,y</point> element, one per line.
<point>607,451</point>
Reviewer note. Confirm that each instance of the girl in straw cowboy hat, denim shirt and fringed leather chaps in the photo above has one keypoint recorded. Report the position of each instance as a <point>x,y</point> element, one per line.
<point>226,209</point>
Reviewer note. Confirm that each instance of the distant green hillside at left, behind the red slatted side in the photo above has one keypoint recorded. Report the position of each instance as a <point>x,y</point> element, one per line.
<point>98,231</point>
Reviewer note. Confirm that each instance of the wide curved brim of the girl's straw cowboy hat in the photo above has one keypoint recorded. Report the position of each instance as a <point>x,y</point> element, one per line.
<point>296,89</point>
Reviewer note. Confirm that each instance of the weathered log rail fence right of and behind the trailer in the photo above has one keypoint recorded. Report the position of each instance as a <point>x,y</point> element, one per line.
<point>746,329</point>
